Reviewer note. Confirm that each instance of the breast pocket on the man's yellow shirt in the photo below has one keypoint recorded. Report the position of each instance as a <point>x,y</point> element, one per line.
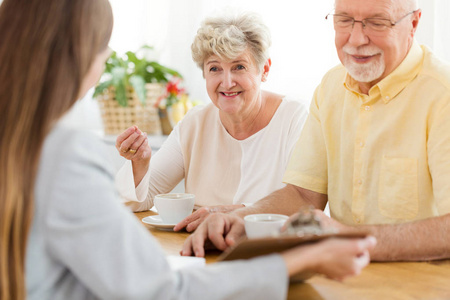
<point>398,196</point>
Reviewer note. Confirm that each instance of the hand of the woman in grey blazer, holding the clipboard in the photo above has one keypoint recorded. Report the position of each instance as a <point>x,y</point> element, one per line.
<point>336,258</point>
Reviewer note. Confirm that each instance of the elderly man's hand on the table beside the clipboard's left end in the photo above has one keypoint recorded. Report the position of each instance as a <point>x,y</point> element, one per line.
<point>222,230</point>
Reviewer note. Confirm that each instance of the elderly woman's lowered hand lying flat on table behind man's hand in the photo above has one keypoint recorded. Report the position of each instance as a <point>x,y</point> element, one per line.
<point>192,221</point>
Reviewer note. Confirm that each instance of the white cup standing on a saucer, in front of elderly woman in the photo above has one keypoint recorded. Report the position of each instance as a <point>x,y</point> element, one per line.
<point>172,208</point>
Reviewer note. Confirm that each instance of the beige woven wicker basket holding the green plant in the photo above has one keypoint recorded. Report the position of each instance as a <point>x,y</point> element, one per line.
<point>117,118</point>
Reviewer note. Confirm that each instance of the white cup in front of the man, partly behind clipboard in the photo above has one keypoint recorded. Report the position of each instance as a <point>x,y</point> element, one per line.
<point>263,225</point>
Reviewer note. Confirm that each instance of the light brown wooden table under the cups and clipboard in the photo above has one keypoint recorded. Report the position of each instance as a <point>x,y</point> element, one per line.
<point>378,281</point>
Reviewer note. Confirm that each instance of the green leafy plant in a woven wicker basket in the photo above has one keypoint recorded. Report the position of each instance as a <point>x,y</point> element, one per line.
<point>130,91</point>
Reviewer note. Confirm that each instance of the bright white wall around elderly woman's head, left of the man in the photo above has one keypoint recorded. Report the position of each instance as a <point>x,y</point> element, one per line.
<point>302,40</point>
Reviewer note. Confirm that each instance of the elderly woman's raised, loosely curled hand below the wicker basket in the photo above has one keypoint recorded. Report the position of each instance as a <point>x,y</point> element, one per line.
<point>132,144</point>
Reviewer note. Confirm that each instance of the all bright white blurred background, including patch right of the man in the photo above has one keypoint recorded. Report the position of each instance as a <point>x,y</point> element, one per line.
<point>302,41</point>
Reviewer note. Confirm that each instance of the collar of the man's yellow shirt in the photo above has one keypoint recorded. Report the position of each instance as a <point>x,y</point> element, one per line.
<point>395,82</point>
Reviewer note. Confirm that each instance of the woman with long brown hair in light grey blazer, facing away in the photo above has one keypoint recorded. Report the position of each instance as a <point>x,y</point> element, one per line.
<point>63,232</point>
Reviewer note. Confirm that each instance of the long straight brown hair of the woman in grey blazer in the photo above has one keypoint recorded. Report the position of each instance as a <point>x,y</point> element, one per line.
<point>47,47</point>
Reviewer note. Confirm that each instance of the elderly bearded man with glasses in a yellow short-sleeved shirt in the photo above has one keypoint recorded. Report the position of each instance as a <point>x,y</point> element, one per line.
<point>376,145</point>
